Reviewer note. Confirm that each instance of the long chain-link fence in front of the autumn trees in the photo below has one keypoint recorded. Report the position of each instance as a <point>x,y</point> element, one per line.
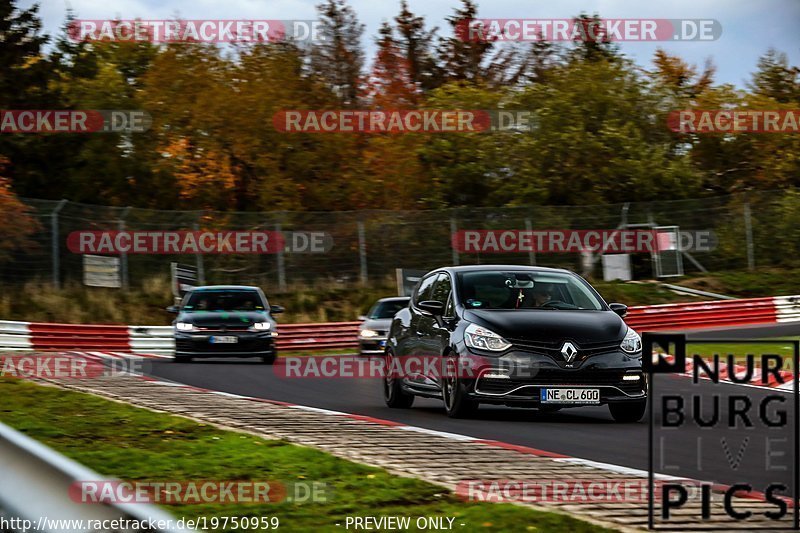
<point>753,230</point>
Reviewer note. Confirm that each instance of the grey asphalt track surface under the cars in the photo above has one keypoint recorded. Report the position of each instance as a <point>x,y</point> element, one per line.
<point>586,432</point>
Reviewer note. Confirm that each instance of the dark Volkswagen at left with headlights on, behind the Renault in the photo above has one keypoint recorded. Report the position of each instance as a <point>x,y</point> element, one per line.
<point>225,321</point>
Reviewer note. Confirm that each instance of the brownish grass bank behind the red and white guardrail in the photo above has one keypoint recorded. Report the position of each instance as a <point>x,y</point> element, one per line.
<point>331,301</point>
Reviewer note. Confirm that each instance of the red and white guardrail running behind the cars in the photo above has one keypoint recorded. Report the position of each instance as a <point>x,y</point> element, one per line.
<point>343,335</point>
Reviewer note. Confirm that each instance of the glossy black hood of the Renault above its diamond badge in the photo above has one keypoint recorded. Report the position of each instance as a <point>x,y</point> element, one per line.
<point>551,326</point>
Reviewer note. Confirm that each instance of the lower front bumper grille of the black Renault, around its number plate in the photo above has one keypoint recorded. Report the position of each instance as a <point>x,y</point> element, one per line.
<point>559,378</point>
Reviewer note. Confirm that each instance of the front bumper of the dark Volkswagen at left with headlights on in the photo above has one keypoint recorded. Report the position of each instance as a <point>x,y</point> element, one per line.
<point>248,344</point>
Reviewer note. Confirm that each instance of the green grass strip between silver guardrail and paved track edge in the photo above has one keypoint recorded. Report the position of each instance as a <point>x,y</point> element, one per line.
<point>132,443</point>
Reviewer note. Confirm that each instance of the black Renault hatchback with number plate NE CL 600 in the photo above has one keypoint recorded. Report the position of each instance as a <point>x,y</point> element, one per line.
<point>518,336</point>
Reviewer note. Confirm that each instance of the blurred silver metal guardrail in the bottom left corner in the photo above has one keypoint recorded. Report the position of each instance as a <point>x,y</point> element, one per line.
<point>35,486</point>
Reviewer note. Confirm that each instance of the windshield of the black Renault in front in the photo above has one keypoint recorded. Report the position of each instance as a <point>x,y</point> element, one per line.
<point>493,289</point>
